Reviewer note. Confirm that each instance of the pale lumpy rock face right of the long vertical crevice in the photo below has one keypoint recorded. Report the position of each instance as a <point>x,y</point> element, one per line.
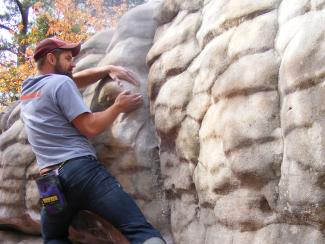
<point>237,96</point>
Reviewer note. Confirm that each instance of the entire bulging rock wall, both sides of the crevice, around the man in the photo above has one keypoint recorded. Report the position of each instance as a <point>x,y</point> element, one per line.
<point>229,145</point>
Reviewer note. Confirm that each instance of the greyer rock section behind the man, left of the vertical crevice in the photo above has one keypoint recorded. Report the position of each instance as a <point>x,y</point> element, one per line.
<point>129,148</point>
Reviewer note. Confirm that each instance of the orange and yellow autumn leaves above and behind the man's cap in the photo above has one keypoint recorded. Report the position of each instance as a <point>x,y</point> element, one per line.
<point>65,19</point>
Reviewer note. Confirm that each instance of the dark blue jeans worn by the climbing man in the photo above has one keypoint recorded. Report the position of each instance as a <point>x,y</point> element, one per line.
<point>89,186</point>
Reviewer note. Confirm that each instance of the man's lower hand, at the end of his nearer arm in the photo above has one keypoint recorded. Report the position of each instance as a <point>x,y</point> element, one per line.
<point>127,102</point>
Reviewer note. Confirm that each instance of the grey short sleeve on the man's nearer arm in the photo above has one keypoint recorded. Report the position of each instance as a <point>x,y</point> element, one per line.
<point>69,100</point>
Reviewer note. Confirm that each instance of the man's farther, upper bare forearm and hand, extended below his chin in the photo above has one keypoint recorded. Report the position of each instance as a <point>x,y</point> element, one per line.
<point>91,75</point>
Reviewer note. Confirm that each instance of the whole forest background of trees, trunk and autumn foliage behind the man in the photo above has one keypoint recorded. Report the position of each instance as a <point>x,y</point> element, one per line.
<point>23,23</point>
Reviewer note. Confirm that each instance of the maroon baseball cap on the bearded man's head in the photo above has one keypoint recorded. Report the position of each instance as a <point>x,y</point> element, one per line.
<point>49,44</point>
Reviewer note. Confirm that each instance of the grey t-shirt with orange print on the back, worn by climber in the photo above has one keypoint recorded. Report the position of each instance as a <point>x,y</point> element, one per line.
<point>49,104</point>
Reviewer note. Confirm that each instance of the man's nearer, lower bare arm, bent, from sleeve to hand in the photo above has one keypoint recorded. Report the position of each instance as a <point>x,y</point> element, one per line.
<point>91,124</point>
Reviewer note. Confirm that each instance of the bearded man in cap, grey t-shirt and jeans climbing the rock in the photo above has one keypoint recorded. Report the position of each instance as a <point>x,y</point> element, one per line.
<point>58,125</point>
